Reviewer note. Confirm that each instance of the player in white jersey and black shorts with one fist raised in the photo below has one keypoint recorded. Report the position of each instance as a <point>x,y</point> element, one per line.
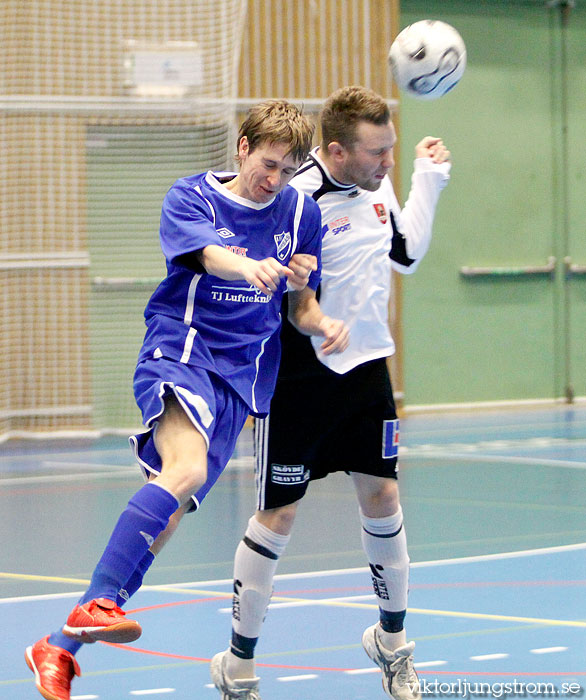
<point>365,234</point>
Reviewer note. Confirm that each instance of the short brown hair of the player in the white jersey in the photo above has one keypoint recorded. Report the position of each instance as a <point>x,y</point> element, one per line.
<point>345,108</point>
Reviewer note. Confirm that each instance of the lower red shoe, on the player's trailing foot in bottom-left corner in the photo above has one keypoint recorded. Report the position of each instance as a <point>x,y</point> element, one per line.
<point>54,669</point>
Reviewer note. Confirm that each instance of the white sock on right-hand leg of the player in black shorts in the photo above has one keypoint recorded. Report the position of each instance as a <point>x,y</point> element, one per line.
<point>385,545</point>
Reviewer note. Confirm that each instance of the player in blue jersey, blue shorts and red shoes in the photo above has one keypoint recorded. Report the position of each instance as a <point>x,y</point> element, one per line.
<point>234,243</point>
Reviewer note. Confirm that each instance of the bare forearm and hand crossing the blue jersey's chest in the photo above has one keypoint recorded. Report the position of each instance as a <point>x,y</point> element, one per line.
<point>263,274</point>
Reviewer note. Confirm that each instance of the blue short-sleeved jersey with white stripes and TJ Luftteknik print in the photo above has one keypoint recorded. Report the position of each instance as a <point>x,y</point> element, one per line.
<point>226,327</point>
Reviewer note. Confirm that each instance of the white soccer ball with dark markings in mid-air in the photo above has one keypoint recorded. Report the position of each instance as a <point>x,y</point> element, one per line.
<point>427,59</point>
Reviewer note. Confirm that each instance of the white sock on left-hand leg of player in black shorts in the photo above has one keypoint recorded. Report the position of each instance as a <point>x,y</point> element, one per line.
<point>255,565</point>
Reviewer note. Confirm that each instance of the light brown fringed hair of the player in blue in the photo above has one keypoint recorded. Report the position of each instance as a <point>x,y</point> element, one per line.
<point>278,121</point>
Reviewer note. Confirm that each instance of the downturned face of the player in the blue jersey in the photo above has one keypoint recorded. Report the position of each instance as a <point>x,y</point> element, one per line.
<point>265,171</point>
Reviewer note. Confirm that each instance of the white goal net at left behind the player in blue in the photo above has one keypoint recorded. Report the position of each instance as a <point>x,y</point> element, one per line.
<point>103,104</point>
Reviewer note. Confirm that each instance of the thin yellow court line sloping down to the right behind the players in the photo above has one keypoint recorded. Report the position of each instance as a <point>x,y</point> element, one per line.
<point>326,603</point>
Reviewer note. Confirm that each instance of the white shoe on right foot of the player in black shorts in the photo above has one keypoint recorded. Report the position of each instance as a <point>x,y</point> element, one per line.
<point>400,681</point>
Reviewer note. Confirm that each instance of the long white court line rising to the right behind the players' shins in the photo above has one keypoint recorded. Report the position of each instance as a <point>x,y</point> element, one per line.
<point>332,572</point>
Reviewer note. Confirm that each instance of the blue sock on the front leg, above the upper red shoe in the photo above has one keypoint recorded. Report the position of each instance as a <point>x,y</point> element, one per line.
<point>144,518</point>
